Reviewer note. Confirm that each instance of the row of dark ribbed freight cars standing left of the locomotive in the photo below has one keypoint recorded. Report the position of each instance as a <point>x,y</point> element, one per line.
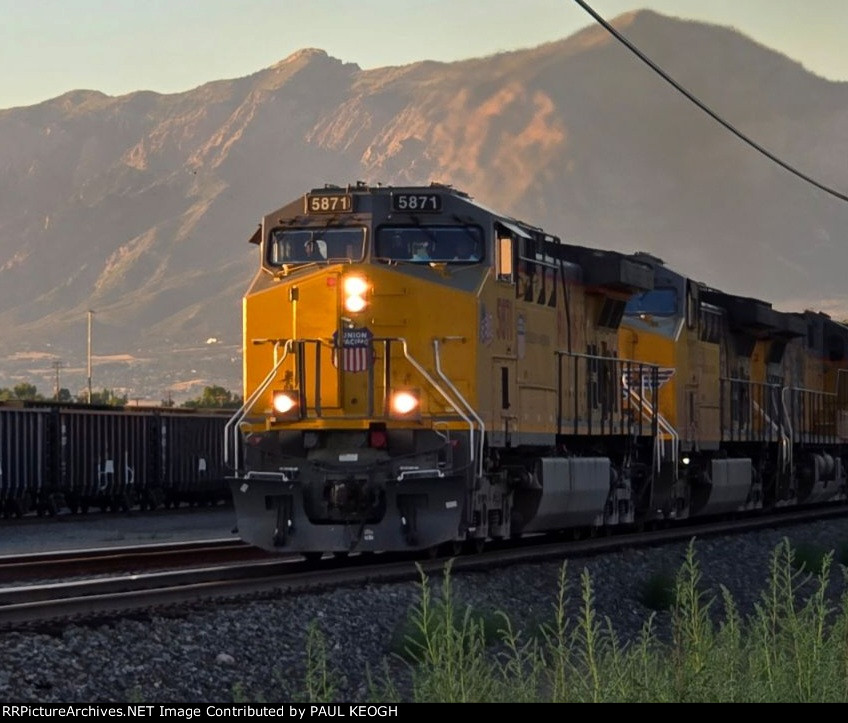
<point>75,458</point>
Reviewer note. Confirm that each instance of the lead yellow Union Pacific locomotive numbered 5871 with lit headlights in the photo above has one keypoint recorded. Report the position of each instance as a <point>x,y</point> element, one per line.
<point>421,372</point>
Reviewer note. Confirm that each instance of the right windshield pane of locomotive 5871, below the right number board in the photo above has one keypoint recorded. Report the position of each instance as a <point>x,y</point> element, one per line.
<point>451,244</point>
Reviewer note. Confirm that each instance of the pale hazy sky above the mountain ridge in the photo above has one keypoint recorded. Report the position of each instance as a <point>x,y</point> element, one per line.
<point>48,47</point>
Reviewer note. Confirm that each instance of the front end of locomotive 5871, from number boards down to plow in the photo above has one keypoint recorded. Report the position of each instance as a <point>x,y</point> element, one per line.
<point>357,424</point>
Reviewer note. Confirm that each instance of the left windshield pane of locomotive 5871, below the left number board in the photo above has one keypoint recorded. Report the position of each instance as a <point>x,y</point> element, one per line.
<point>303,246</point>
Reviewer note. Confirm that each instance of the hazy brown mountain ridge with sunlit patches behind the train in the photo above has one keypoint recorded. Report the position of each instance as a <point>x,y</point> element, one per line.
<point>139,206</point>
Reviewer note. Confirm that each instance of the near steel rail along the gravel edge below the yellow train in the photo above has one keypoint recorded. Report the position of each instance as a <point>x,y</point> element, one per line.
<point>97,599</point>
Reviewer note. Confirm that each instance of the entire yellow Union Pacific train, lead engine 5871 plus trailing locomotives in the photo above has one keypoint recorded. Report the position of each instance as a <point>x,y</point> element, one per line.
<point>422,373</point>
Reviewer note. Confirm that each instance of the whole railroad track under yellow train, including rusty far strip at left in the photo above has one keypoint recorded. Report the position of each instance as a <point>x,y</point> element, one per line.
<point>179,576</point>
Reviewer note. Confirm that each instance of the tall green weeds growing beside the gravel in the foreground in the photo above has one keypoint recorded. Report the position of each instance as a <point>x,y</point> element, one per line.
<point>792,648</point>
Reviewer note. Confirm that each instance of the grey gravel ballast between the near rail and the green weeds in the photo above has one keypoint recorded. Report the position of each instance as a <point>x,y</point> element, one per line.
<point>255,651</point>
